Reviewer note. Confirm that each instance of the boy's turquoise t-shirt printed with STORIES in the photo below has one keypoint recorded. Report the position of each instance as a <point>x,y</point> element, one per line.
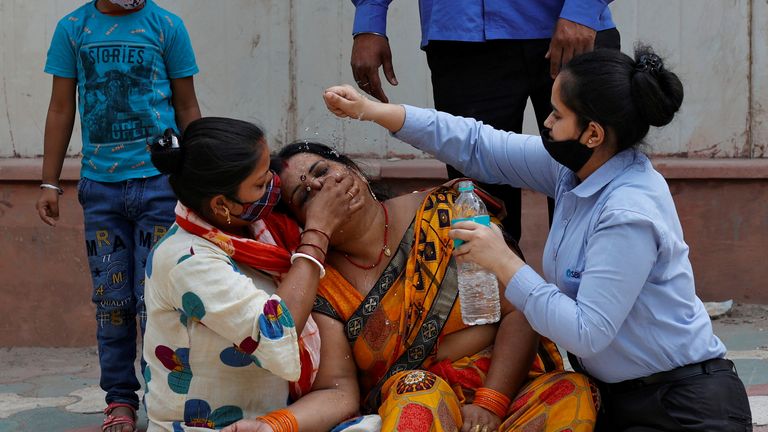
<point>124,66</point>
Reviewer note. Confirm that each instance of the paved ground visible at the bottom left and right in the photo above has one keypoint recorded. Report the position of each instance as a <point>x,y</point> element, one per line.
<point>56,389</point>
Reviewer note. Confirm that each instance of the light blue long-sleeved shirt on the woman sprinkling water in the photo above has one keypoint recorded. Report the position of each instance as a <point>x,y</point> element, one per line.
<point>618,289</point>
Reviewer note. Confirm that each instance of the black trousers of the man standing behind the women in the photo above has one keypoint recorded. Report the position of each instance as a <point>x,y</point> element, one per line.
<point>491,82</point>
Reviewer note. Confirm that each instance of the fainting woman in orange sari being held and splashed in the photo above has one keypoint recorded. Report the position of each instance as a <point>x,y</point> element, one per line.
<point>392,287</point>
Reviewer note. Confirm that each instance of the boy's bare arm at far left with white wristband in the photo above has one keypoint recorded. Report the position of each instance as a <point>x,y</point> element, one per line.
<point>58,131</point>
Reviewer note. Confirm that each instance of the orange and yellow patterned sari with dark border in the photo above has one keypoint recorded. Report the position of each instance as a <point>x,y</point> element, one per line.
<point>396,329</point>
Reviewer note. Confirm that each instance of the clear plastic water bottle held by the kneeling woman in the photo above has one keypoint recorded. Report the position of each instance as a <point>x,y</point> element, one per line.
<point>478,288</point>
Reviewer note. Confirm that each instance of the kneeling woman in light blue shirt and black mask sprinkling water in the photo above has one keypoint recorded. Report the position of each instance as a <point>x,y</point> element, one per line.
<point>618,289</point>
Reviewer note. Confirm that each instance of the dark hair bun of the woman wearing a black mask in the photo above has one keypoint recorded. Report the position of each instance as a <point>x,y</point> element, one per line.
<point>656,91</point>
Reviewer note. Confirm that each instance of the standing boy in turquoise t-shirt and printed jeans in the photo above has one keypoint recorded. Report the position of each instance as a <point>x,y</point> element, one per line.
<point>131,64</point>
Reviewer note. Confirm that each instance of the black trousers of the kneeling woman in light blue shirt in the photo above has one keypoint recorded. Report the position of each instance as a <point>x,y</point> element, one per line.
<point>715,401</point>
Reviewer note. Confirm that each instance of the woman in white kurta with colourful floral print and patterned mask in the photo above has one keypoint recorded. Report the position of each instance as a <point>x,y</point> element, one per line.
<point>229,289</point>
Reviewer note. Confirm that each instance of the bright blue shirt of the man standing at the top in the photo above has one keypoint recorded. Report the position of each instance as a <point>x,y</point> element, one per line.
<point>483,20</point>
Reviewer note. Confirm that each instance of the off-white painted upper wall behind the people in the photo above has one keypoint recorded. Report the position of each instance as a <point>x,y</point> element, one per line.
<point>269,60</point>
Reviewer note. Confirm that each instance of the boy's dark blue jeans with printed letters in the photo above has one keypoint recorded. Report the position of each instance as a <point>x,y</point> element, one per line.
<point>122,222</point>
